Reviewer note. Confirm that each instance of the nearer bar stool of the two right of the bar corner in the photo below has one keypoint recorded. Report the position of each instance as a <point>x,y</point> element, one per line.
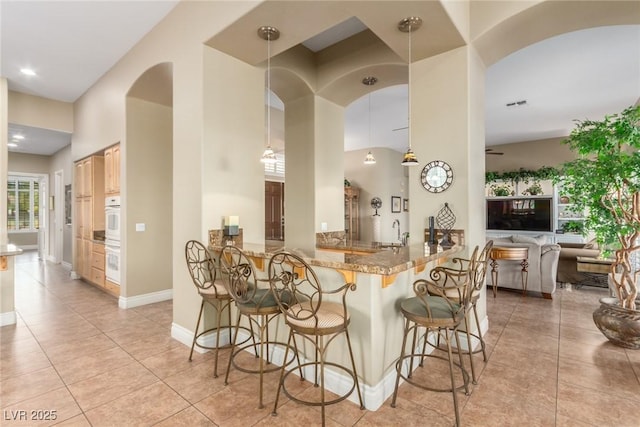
<point>439,307</point>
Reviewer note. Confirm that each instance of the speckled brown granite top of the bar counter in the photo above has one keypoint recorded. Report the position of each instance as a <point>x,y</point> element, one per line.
<point>365,257</point>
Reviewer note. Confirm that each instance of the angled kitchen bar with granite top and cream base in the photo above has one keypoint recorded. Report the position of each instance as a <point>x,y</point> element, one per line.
<point>384,277</point>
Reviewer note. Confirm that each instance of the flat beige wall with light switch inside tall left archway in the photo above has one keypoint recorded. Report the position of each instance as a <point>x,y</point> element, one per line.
<point>147,254</point>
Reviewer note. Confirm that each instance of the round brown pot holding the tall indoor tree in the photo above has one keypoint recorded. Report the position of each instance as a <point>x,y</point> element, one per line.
<point>620,325</point>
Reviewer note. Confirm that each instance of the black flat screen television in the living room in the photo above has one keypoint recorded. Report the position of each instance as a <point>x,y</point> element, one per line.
<point>520,214</point>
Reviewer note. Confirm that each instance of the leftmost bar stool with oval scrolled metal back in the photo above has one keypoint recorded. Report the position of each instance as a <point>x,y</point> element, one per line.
<point>203,271</point>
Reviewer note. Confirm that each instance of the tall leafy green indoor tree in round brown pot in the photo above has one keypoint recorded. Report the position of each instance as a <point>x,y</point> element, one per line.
<point>604,182</point>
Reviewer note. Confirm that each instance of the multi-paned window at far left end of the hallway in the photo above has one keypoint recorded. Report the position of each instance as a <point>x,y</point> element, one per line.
<point>23,203</point>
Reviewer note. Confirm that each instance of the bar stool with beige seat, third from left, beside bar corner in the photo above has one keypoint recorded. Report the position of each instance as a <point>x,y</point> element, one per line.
<point>316,315</point>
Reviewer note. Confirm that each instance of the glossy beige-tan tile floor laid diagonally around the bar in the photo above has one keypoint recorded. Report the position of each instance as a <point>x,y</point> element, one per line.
<point>73,351</point>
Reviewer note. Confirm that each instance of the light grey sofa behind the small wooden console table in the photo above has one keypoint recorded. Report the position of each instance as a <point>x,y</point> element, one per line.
<point>543,265</point>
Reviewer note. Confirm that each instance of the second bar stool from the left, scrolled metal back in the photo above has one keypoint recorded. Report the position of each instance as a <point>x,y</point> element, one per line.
<point>257,304</point>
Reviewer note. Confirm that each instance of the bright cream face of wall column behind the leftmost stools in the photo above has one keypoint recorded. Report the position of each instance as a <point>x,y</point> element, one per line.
<point>234,139</point>
